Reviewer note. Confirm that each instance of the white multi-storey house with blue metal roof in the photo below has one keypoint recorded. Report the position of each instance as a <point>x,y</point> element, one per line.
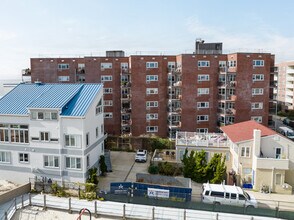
<point>51,130</point>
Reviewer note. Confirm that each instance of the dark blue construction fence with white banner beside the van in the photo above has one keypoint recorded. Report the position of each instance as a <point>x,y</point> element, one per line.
<point>151,191</point>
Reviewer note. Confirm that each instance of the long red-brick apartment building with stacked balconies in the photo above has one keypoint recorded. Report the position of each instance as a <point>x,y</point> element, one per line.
<point>164,94</point>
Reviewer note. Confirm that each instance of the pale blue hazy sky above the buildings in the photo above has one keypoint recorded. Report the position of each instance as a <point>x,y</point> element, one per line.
<point>72,28</point>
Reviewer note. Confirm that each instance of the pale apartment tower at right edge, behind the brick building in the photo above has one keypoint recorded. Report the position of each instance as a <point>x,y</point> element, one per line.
<point>285,91</point>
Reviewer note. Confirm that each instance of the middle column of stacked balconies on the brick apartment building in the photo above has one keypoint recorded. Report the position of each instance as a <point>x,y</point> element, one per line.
<point>174,100</point>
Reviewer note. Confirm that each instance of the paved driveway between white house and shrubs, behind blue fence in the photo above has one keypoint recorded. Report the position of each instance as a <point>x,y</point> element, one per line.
<point>124,169</point>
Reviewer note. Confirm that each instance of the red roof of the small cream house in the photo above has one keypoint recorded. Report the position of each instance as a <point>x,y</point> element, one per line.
<point>244,131</point>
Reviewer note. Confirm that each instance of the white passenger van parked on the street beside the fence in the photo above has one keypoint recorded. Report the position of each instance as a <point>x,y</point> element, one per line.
<point>227,195</point>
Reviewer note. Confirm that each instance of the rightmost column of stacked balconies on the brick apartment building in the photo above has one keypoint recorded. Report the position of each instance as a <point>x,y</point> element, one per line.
<point>226,97</point>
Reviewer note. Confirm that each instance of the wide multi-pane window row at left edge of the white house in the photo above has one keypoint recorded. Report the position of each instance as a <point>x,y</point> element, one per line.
<point>17,134</point>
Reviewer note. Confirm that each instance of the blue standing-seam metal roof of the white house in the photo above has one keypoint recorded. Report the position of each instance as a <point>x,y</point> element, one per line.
<point>73,99</point>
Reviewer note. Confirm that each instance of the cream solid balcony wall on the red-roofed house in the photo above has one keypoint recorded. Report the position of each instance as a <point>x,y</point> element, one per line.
<point>269,163</point>
